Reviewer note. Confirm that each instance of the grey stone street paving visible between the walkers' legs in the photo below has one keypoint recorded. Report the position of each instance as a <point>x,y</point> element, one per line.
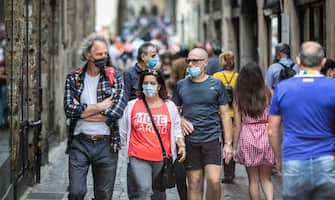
<point>54,181</point>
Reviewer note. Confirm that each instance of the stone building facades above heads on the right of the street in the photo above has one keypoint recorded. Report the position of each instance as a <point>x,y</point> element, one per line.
<point>251,28</point>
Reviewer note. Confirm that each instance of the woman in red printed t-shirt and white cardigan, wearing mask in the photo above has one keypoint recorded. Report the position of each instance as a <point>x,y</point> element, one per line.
<point>143,146</point>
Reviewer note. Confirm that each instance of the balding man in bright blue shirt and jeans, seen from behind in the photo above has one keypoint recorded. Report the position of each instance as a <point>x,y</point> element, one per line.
<point>306,106</point>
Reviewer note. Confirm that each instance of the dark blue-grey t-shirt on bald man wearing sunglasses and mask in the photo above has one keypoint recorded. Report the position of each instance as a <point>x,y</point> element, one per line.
<point>200,105</point>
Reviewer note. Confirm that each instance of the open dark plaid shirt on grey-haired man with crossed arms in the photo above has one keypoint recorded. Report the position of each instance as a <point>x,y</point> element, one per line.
<point>74,86</point>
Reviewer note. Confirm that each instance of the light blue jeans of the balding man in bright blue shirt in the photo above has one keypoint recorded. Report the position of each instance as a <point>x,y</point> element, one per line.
<point>309,179</point>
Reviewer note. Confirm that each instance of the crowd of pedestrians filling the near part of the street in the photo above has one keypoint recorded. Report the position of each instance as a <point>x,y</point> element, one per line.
<point>169,106</point>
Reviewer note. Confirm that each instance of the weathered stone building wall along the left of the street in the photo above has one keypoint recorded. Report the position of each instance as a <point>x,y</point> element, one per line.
<point>43,37</point>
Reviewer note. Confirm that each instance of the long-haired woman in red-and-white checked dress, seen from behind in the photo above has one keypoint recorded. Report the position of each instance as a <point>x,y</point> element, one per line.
<point>251,142</point>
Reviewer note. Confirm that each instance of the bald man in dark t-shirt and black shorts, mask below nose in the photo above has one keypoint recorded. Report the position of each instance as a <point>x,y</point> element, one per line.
<point>204,104</point>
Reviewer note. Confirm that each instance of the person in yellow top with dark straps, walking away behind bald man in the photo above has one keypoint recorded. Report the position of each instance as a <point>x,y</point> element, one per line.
<point>228,77</point>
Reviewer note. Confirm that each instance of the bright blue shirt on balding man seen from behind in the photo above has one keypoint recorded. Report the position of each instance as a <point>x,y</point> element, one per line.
<point>306,104</point>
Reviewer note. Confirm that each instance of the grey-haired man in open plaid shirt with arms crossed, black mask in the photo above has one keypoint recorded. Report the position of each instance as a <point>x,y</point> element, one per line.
<point>93,101</point>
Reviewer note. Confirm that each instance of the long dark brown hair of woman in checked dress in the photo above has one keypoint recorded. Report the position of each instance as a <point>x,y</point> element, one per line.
<point>251,95</point>
